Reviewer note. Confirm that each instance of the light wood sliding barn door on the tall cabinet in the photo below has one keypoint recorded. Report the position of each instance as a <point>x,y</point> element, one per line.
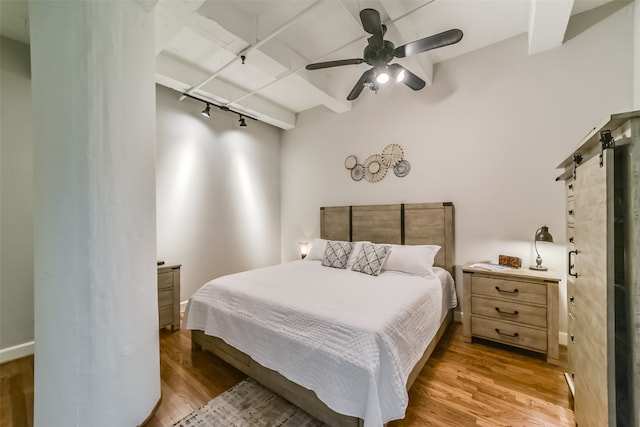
<point>592,299</point>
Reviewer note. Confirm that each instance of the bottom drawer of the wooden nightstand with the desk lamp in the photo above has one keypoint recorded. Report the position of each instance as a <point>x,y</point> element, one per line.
<point>510,333</point>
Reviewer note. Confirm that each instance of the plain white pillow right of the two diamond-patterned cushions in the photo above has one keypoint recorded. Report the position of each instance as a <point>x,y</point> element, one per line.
<point>412,259</point>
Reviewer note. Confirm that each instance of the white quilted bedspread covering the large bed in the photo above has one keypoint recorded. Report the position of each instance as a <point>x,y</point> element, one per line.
<point>350,337</point>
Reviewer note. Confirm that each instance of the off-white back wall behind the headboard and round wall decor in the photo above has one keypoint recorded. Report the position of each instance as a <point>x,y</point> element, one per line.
<point>486,136</point>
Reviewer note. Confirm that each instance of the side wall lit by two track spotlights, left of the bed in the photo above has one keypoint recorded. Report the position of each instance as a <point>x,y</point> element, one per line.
<point>218,191</point>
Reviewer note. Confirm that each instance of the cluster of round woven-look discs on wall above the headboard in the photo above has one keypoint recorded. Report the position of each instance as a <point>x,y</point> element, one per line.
<point>376,166</point>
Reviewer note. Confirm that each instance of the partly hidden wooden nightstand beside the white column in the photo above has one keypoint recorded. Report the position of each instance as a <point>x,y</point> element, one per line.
<point>169,296</point>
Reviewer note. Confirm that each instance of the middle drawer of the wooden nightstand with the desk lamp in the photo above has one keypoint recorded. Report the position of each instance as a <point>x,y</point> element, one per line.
<point>506,310</point>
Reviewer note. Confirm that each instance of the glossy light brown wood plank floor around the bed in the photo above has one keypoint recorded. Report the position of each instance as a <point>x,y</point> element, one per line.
<point>462,384</point>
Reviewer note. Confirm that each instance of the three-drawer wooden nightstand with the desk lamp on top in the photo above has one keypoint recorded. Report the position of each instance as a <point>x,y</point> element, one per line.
<point>517,307</point>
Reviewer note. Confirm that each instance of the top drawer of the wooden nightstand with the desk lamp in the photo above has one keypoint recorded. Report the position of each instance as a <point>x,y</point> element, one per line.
<point>509,289</point>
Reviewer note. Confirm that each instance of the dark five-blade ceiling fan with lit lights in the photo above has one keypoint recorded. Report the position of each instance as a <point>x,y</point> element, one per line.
<point>379,52</point>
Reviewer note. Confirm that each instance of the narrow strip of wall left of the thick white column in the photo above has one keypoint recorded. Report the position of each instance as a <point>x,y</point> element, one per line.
<point>16,204</point>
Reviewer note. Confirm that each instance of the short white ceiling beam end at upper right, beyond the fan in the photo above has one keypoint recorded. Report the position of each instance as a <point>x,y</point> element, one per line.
<point>548,22</point>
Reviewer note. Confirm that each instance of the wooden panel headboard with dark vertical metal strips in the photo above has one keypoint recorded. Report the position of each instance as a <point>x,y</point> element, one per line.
<point>404,224</point>
